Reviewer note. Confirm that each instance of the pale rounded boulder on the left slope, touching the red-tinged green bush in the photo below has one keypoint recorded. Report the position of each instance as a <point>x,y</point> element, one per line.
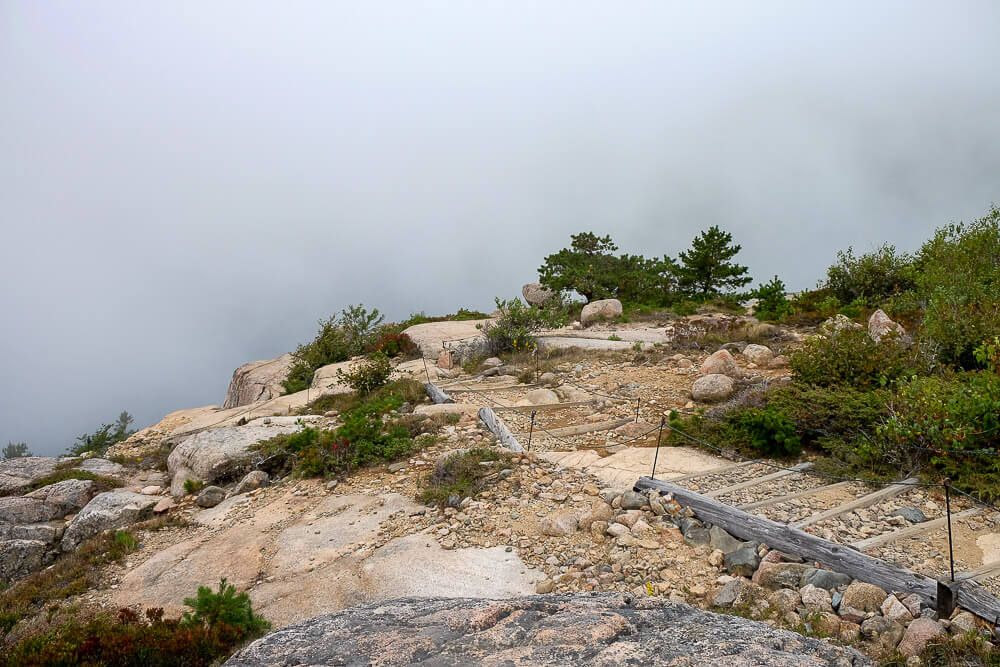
<point>218,454</point>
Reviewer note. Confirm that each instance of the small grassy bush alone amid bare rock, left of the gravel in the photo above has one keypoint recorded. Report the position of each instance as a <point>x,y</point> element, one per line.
<point>463,475</point>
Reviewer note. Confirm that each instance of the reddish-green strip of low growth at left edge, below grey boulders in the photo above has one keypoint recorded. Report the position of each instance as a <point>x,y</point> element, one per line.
<point>70,575</point>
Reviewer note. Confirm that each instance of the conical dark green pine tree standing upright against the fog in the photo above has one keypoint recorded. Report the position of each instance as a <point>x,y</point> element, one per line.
<point>706,270</point>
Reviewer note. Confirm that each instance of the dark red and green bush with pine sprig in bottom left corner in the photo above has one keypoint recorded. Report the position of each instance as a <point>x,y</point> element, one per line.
<point>220,622</point>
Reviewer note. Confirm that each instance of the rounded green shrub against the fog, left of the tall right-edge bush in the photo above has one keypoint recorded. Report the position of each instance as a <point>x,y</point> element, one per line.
<point>873,277</point>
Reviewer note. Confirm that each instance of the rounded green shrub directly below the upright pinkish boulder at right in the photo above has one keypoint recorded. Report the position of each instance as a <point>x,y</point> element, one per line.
<point>850,357</point>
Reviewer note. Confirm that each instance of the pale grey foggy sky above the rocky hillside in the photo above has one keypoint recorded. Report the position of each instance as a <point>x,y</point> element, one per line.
<point>185,187</point>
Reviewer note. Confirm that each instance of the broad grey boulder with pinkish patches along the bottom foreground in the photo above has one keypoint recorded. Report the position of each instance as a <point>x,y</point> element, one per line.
<point>544,630</point>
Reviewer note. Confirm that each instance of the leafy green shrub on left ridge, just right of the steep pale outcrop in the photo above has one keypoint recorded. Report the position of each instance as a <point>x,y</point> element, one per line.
<point>338,339</point>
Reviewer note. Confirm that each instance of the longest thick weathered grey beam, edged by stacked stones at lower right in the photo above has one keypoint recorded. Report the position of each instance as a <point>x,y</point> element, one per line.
<point>791,540</point>
